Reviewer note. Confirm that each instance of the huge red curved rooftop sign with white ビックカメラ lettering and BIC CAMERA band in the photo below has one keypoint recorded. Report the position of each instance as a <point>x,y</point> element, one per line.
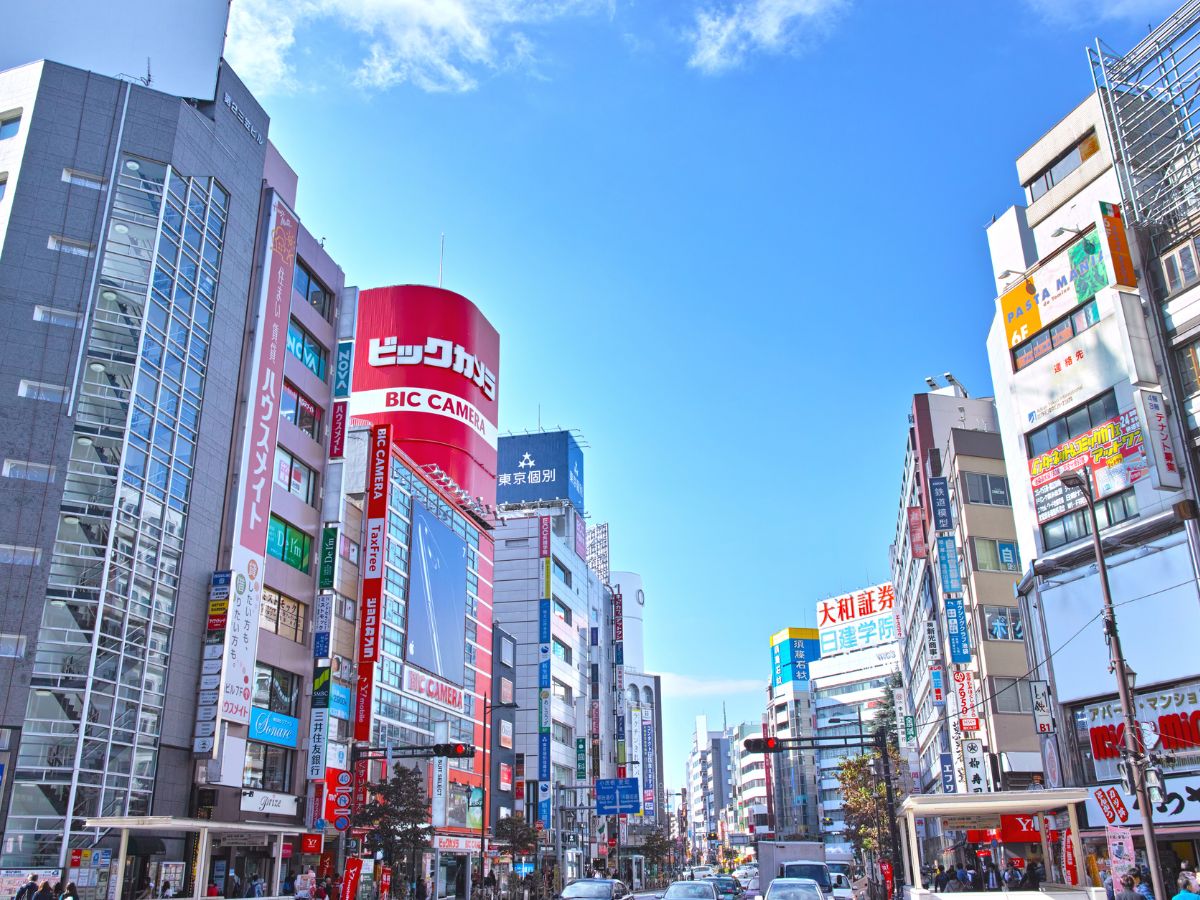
<point>427,361</point>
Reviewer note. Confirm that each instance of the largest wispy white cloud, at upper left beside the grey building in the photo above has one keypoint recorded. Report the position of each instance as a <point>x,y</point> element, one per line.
<point>435,45</point>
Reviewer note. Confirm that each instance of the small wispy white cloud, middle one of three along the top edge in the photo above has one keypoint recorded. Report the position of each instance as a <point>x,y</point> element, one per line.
<point>724,37</point>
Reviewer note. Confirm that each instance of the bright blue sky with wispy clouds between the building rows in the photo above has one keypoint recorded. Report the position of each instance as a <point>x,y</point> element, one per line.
<point>728,243</point>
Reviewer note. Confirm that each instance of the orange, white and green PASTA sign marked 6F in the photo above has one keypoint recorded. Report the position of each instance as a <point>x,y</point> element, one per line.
<point>1096,260</point>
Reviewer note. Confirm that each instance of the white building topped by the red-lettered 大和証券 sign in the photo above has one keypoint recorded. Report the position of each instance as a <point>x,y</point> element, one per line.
<point>857,635</point>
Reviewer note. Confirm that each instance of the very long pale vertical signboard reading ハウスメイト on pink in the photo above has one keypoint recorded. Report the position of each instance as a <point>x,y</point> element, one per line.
<point>254,501</point>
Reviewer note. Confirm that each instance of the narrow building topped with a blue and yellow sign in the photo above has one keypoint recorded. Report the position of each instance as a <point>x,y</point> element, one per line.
<point>790,801</point>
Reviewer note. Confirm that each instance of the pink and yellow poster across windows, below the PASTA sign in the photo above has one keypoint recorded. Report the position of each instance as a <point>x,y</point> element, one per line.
<point>1113,455</point>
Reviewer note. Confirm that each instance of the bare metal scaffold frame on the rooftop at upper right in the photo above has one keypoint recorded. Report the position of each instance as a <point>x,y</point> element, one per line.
<point>1151,98</point>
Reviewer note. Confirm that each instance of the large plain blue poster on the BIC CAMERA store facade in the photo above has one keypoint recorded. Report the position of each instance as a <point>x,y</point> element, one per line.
<point>437,597</point>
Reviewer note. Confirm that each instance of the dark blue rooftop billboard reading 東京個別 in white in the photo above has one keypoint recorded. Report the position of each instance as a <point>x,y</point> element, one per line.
<point>547,466</point>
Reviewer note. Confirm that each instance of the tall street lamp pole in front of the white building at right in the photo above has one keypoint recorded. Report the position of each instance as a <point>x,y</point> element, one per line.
<point>1125,680</point>
